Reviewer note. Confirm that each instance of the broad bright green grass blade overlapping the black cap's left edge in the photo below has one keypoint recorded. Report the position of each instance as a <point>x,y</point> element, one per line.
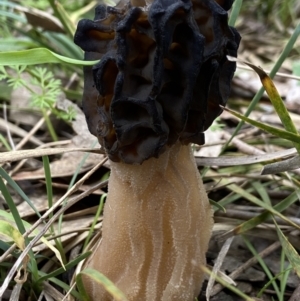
<point>38,56</point>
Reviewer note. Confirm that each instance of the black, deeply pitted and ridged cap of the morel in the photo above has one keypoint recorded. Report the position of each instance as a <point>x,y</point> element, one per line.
<point>162,76</point>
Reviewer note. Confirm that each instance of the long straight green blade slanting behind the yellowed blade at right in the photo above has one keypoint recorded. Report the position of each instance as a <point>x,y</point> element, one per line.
<point>286,51</point>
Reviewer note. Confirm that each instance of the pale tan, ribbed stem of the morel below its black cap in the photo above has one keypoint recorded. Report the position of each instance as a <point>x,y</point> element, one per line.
<point>156,228</point>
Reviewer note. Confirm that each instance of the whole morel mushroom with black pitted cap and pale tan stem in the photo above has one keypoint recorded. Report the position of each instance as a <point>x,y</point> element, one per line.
<point>162,76</point>
